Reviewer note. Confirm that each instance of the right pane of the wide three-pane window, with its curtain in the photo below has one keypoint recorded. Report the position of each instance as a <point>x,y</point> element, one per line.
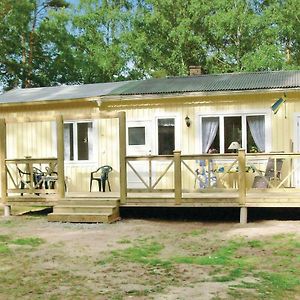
<point>255,133</point>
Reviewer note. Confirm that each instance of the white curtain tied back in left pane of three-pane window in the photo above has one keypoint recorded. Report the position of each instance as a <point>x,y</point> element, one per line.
<point>210,127</point>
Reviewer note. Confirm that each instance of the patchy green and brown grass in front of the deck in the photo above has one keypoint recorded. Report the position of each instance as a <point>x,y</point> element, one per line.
<point>150,265</point>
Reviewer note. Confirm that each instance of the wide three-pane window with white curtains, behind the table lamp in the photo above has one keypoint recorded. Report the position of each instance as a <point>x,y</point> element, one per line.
<point>218,132</point>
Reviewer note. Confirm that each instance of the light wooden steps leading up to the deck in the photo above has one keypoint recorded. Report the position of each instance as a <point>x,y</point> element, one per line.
<point>86,210</point>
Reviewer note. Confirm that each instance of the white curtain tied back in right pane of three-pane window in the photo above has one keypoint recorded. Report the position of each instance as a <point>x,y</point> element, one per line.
<point>257,128</point>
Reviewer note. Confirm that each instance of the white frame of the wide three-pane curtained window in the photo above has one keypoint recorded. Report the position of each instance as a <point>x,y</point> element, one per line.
<point>243,115</point>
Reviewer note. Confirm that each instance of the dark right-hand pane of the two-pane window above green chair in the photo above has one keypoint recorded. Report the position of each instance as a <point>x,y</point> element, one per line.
<point>83,140</point>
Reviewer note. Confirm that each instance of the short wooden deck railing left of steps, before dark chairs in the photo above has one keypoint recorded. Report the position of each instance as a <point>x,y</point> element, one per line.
<point>31,176</point>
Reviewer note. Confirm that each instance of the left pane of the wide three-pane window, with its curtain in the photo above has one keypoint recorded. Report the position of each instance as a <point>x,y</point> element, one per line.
<point>210,135</point>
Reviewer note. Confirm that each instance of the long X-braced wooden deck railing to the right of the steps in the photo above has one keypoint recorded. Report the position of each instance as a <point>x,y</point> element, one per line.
<point>238,173</point>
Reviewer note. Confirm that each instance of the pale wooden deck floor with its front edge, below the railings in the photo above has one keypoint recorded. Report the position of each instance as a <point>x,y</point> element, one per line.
<point>259,198</point>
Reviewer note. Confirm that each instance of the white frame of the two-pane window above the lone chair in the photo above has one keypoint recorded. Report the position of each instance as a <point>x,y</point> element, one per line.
<point>93,141</point>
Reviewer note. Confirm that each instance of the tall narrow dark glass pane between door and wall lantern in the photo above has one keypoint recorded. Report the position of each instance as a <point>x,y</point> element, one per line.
<point>166,136</point>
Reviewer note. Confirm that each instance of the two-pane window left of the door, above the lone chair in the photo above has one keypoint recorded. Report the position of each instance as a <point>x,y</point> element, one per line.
<point>78,141</point>
